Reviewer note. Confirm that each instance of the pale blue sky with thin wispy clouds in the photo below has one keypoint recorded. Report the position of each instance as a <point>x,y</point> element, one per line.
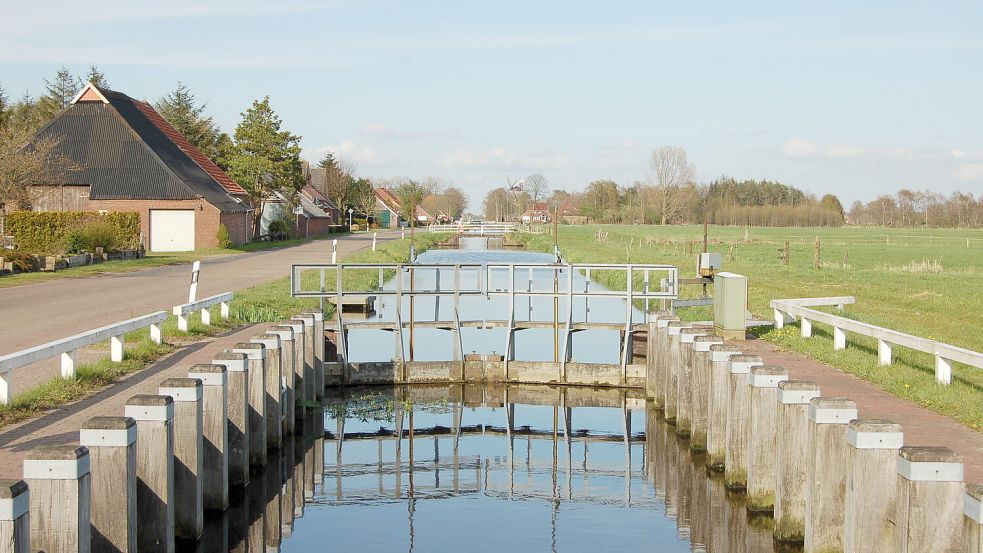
<point>852,98</point>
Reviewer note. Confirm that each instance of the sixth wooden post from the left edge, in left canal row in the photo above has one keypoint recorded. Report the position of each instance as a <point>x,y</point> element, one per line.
<point>214,434</point>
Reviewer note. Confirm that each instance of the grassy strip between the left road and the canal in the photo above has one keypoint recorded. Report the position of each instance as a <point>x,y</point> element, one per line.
<point>268,302</point>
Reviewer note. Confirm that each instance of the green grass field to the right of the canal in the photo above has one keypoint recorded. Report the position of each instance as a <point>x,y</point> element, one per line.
<point>924,282</point>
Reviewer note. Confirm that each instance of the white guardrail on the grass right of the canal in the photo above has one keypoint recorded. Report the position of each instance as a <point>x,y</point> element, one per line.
<point>945,354</point>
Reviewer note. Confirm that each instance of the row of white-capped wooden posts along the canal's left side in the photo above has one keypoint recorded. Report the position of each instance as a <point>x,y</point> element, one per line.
<point>139,481</point>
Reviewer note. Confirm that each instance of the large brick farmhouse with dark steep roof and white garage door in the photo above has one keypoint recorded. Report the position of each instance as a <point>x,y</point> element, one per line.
<point>128,158</point>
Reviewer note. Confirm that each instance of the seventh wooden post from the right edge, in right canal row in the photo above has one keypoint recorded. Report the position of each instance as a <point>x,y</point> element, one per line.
<point>738,423</point>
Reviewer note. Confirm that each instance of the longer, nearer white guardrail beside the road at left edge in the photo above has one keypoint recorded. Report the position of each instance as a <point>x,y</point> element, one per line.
<point>68,348</point>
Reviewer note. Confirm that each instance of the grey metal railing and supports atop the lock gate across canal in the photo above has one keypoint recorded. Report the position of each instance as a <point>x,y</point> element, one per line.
<point>311,280</point>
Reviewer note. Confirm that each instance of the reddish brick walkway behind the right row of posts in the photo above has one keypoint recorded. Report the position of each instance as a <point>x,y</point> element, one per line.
<point>921,426</point>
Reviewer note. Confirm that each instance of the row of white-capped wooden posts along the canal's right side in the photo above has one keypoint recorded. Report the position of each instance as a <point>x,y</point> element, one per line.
<point>830,479</point>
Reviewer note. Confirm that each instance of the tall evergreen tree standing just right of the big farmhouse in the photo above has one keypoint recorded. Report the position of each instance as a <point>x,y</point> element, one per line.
<point>265,158</point>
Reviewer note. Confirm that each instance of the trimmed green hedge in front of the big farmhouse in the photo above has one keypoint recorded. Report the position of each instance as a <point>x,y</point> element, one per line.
<point>45,232</point>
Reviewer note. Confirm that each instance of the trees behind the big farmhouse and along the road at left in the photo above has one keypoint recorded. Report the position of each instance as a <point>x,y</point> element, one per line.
<point>260,154</point>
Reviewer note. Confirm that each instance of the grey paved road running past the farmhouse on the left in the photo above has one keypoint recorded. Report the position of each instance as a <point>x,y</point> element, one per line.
<point>37,313</point>
